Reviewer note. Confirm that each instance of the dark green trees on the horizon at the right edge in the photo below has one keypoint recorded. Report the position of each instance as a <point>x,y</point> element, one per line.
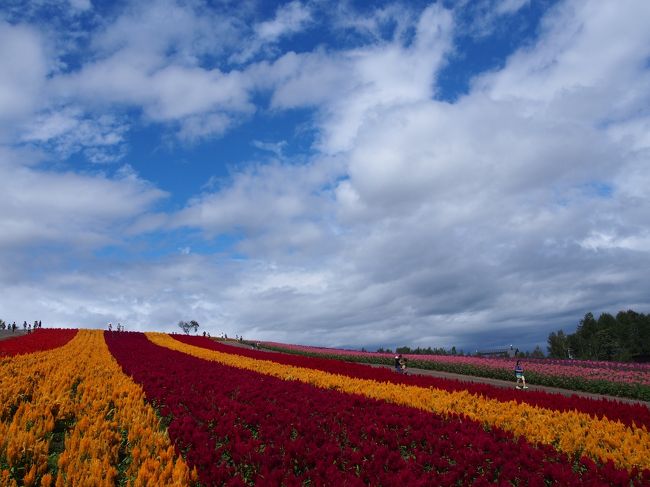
<point>624,337</point>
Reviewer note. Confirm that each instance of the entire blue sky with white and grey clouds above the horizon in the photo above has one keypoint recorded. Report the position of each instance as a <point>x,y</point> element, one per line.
<point>469,173</point>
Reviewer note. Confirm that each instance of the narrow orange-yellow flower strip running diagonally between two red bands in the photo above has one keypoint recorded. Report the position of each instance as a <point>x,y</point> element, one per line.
<point>570,432</point>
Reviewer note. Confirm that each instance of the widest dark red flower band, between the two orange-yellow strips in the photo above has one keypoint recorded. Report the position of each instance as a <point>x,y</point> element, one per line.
<point>239,427</point>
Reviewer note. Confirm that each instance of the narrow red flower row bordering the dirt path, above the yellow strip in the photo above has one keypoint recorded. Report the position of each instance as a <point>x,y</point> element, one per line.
<point>614,410</point>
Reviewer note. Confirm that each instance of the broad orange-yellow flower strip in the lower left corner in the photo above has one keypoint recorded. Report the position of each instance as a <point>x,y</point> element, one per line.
<point>80,389</point>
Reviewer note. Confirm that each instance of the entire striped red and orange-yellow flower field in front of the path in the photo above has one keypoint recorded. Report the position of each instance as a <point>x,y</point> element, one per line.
<point>108,408</point>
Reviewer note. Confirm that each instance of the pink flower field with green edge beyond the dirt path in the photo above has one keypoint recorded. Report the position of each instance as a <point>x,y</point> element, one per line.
<point>611,378</point>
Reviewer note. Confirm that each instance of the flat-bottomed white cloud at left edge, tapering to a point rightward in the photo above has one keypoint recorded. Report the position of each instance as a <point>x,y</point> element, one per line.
<point>80,211</point>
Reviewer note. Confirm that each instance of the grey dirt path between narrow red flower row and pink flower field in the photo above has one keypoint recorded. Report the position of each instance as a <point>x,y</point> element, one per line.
<point>485,380</point>
